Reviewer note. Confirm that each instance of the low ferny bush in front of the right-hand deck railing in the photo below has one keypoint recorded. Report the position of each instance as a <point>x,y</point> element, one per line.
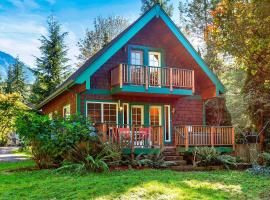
<point>207,156</point>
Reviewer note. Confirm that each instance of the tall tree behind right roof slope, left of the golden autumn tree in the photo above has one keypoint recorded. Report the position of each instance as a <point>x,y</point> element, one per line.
<point>195,17</point>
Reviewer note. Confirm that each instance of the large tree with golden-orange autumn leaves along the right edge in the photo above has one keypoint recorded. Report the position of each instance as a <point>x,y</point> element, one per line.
<point>241,29</point>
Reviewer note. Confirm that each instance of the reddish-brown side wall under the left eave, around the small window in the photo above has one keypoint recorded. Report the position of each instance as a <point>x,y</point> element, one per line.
<point>67,97</point>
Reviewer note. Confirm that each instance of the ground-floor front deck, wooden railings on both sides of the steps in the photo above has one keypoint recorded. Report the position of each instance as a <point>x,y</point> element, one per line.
<point>141,139</point>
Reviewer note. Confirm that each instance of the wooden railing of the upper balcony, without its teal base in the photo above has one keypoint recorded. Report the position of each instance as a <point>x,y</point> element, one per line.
<point>148,76</point>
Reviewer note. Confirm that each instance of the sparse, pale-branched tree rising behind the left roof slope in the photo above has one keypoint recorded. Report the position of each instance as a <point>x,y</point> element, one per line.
<point>105,29</point>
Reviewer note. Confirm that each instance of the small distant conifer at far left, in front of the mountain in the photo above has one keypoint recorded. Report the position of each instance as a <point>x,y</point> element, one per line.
<point>15,82</point>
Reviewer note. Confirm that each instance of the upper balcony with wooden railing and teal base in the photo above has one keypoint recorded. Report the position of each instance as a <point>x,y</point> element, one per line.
<point>155,80</point>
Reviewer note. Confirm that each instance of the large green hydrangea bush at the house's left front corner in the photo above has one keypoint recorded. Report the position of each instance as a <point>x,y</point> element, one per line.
<point>51,140</point>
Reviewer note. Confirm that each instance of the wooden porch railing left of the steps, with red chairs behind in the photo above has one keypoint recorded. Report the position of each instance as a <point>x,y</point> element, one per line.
<point>134,137</point>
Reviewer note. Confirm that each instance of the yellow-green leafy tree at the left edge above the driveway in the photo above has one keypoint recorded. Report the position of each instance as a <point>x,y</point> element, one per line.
<point>10,106</point>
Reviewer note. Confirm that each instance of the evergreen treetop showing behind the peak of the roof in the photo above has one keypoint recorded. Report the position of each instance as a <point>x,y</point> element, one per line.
<point>165,4</point>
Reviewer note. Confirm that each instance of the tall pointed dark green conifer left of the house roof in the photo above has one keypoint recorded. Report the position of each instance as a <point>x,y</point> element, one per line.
<point>52,66</point>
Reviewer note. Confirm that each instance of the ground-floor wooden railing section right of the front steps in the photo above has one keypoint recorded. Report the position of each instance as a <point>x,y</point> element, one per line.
<point>204,136</point>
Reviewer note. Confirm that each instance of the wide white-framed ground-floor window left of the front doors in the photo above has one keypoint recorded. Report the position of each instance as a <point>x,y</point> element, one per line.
<point>102,112</point>
